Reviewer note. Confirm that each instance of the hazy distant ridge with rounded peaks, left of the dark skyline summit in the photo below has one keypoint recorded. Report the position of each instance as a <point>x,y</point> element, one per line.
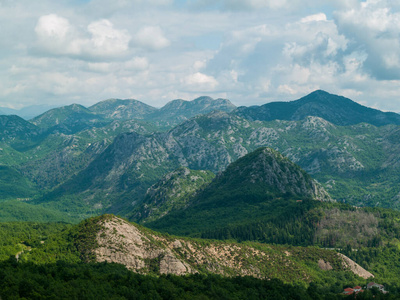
<point>75,117</point>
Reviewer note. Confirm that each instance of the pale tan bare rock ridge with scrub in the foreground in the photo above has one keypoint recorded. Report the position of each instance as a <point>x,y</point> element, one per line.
<point>146,252</point>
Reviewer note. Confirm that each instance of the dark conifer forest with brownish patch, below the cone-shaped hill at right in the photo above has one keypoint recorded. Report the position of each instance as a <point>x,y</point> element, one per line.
<point>307,223</point>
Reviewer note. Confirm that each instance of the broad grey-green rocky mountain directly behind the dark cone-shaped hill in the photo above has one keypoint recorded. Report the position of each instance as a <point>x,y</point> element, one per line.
<point>348,161</point>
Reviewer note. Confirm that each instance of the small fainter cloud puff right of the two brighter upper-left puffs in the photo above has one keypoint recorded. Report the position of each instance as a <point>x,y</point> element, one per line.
<point>151,38</point>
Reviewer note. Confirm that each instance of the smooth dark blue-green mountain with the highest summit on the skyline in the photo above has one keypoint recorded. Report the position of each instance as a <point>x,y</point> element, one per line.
<point>335,109</point>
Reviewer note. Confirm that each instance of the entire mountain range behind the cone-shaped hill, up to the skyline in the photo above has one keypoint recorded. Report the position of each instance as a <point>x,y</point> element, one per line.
<point>99,157</point>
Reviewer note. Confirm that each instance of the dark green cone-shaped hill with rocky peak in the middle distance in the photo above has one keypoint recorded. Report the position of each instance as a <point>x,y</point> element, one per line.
<point>258,187</point>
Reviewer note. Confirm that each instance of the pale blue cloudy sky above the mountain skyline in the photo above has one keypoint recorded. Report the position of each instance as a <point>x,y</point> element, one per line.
<point>249,51</point>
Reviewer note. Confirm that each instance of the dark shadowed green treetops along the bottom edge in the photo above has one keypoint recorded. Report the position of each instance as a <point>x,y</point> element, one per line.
<point>112,281</point>
